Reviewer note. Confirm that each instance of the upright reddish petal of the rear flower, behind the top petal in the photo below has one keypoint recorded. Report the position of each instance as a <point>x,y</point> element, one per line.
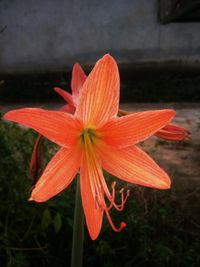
<point>78,79</point>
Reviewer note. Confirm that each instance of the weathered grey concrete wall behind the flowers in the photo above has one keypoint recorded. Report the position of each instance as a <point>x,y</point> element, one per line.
<point>49,35</point>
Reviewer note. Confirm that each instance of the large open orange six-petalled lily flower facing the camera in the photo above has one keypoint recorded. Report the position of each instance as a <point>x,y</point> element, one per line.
<point>93,139</point>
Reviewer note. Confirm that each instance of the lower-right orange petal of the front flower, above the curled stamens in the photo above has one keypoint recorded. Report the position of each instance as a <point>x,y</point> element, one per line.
<point>135,166</point>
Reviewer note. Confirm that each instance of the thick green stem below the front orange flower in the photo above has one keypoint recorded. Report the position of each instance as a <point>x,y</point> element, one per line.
<point>78,230</point>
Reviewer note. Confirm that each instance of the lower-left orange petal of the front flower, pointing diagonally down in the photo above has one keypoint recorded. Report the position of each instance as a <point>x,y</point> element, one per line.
<point>58,174</point>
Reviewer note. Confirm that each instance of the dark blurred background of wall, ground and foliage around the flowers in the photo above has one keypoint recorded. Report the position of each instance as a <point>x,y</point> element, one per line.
<point>157,47</point>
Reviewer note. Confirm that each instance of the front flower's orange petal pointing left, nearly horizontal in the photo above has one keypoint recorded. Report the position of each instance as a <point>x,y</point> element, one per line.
<point>57,126</point>
